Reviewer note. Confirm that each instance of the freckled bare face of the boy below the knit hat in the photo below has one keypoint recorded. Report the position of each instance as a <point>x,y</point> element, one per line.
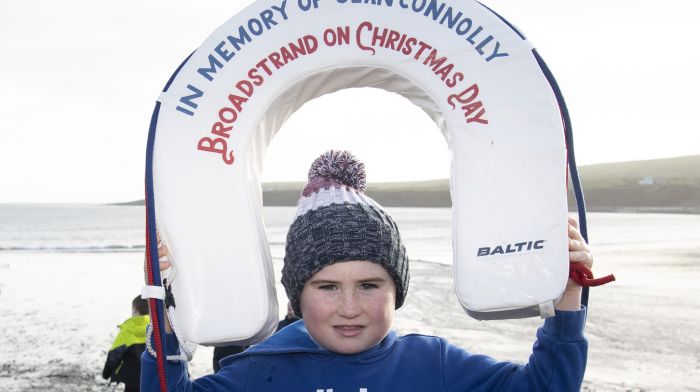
<point>348,307</point>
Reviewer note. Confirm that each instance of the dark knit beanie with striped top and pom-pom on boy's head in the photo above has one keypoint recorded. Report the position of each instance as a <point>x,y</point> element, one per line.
<point>335,222</point>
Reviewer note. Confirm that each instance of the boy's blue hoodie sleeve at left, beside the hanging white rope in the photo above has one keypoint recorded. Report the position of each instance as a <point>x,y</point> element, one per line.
<point>230,378</point>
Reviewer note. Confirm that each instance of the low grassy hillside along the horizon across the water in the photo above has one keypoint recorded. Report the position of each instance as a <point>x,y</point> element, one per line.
<point>662,185</point>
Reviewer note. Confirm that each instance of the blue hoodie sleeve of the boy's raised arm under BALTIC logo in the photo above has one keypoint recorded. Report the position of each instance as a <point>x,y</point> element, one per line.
<point>557,362</point>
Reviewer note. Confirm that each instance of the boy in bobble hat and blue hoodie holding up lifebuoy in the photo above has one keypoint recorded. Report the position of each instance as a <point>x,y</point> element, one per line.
<point>345,272</point>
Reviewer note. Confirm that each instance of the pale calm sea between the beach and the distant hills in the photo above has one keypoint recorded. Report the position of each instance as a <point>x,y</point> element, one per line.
<point>426,232</point>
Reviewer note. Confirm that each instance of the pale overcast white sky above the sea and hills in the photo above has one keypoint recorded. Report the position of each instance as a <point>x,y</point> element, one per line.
<point>79,79</point>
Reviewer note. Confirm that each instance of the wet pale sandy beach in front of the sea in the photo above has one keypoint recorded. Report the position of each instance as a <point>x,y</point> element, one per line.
<point>59,311</point>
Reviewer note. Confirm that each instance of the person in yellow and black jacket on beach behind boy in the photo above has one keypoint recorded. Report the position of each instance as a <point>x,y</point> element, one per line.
<point>123,364</point>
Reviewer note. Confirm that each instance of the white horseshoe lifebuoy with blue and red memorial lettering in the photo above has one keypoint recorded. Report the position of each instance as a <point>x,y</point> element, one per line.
<point>475,75</point>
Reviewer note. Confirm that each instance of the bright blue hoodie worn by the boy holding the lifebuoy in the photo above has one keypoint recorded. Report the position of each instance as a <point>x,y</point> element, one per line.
<point>291,361</point>
